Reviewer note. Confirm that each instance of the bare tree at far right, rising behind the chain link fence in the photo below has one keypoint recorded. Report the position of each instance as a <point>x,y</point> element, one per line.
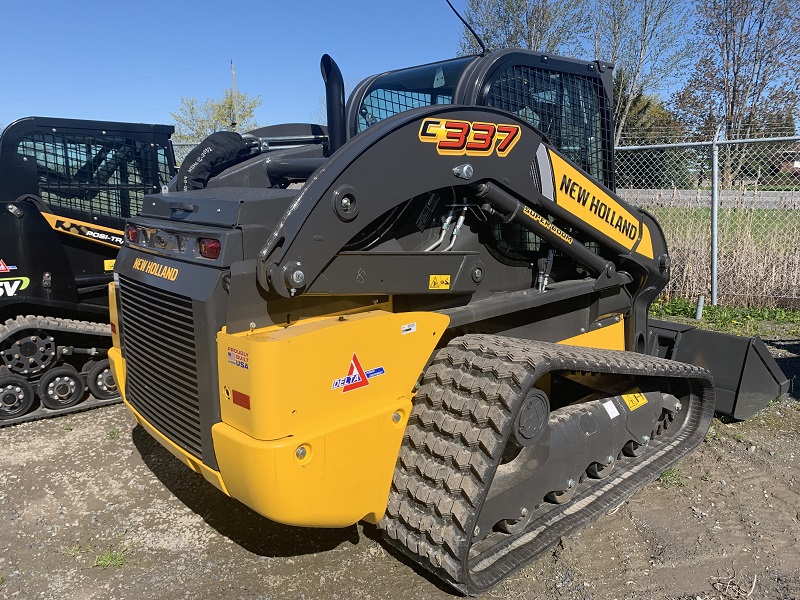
<point>745,84</point>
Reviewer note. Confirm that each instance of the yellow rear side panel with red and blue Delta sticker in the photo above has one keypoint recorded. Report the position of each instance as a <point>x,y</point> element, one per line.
<point>340,388</point>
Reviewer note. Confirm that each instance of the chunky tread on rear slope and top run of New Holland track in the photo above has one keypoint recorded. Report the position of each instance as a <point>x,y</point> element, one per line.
<point>462,416</point>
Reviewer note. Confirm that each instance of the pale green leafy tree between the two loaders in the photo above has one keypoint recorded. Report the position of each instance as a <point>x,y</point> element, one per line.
<point>195,120</point>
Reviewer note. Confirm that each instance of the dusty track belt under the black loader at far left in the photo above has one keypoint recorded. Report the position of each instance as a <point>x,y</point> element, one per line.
<point>95,335</point>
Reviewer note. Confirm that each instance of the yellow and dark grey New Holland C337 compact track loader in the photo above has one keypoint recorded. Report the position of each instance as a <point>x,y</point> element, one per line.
<point>432,315</point>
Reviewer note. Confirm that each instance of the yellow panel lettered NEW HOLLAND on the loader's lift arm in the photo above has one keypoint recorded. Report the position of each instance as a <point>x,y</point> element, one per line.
<point>583,198</point>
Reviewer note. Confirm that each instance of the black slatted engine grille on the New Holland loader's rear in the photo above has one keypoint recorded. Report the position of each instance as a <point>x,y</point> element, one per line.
<point>161,361</point>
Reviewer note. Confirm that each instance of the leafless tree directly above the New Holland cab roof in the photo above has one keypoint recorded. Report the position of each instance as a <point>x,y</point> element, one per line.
<point>542,25</point>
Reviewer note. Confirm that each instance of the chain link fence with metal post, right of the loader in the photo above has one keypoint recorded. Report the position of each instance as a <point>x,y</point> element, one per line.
<point>729,211</point>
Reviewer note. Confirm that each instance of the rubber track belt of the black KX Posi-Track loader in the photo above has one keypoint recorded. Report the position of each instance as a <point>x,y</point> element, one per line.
<point>89,328</point>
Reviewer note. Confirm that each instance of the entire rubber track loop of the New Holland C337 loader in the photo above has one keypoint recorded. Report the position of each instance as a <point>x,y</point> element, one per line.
<point>462,417</point>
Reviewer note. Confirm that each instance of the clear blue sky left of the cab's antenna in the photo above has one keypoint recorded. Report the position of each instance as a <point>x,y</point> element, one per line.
<point>134,61</point>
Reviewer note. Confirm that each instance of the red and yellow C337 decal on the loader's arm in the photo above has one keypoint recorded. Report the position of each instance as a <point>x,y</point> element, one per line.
<point>456,138</point>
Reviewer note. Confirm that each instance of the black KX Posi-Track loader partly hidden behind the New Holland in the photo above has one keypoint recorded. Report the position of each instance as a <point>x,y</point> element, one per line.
<point>66,188</point>
